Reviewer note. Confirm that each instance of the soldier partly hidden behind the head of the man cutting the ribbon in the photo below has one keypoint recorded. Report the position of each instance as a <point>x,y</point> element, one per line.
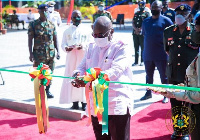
<point>101,12</point>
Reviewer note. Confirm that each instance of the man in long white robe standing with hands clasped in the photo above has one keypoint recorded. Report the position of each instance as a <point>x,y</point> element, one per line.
<point>75,41</point>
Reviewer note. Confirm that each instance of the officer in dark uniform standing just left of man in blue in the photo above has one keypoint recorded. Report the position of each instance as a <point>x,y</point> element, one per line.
<point>138,38</point>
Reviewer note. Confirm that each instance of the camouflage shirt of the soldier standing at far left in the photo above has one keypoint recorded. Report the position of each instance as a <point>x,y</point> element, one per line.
<point>43,33</point>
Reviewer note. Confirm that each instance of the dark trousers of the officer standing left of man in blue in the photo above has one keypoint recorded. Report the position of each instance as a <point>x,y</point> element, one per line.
<point>138,41</point>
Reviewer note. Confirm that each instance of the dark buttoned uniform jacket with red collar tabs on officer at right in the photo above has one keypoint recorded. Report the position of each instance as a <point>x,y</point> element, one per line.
<point>182,50</point>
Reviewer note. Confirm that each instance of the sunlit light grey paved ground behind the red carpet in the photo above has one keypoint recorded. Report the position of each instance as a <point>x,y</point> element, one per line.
<point>18,88</point>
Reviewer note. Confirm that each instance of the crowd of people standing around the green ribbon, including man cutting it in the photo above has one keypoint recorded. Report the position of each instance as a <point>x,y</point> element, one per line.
<point>168,41</point>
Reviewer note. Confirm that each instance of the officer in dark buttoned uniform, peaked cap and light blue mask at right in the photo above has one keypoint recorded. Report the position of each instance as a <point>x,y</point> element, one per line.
<point>181,50</point>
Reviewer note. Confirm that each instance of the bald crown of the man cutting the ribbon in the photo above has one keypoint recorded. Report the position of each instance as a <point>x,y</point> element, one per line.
<point>103,23</point>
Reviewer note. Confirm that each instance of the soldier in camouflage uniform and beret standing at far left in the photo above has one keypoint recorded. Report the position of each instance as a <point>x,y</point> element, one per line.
<point>44,35</point>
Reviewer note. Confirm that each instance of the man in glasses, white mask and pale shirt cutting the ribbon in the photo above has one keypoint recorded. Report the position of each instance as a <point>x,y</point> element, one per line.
<point>113,57</point>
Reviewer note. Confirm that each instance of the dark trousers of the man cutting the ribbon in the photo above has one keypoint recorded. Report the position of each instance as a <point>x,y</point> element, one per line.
<point>118,127</point>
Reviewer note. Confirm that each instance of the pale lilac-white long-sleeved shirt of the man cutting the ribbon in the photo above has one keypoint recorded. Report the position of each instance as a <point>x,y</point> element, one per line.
<point>114,60</point>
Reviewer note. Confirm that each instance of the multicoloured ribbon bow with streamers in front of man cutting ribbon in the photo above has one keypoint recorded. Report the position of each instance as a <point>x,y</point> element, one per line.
<point>95,81</point>
